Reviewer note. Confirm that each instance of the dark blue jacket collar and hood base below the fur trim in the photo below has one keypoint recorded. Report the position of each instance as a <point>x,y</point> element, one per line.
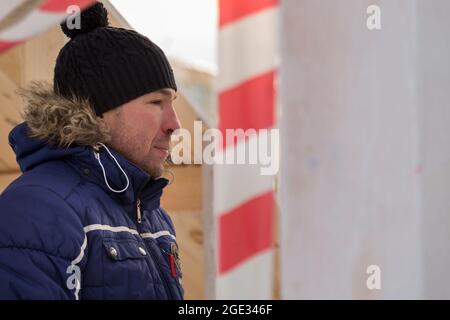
<point>30,152</point>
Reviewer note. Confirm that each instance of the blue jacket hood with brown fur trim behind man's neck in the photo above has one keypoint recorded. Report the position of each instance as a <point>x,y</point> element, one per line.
<point>54,127</point>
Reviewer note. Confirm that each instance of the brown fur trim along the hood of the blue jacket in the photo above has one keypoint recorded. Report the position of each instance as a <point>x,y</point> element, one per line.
<point>61,121</point>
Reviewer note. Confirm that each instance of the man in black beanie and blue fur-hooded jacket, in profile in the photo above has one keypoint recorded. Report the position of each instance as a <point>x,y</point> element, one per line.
<point>83,221</point>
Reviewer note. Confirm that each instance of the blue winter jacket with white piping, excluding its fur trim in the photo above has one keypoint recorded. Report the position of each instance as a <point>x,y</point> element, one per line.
<point>64,234</point>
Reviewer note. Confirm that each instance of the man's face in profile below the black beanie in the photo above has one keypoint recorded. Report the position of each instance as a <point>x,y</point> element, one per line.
<point>141,129</point>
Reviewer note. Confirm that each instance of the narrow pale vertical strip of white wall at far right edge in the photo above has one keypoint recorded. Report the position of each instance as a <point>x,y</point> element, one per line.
<point>433,96</point>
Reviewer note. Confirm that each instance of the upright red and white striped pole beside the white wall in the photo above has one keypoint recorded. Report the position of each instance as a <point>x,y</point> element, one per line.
<point>244,199</point>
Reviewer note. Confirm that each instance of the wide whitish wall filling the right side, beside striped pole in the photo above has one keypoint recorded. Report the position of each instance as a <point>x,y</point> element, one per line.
<point>365,145</point>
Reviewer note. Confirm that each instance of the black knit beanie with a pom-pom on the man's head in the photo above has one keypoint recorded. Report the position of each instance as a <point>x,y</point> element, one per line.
<point>108,66</point>
